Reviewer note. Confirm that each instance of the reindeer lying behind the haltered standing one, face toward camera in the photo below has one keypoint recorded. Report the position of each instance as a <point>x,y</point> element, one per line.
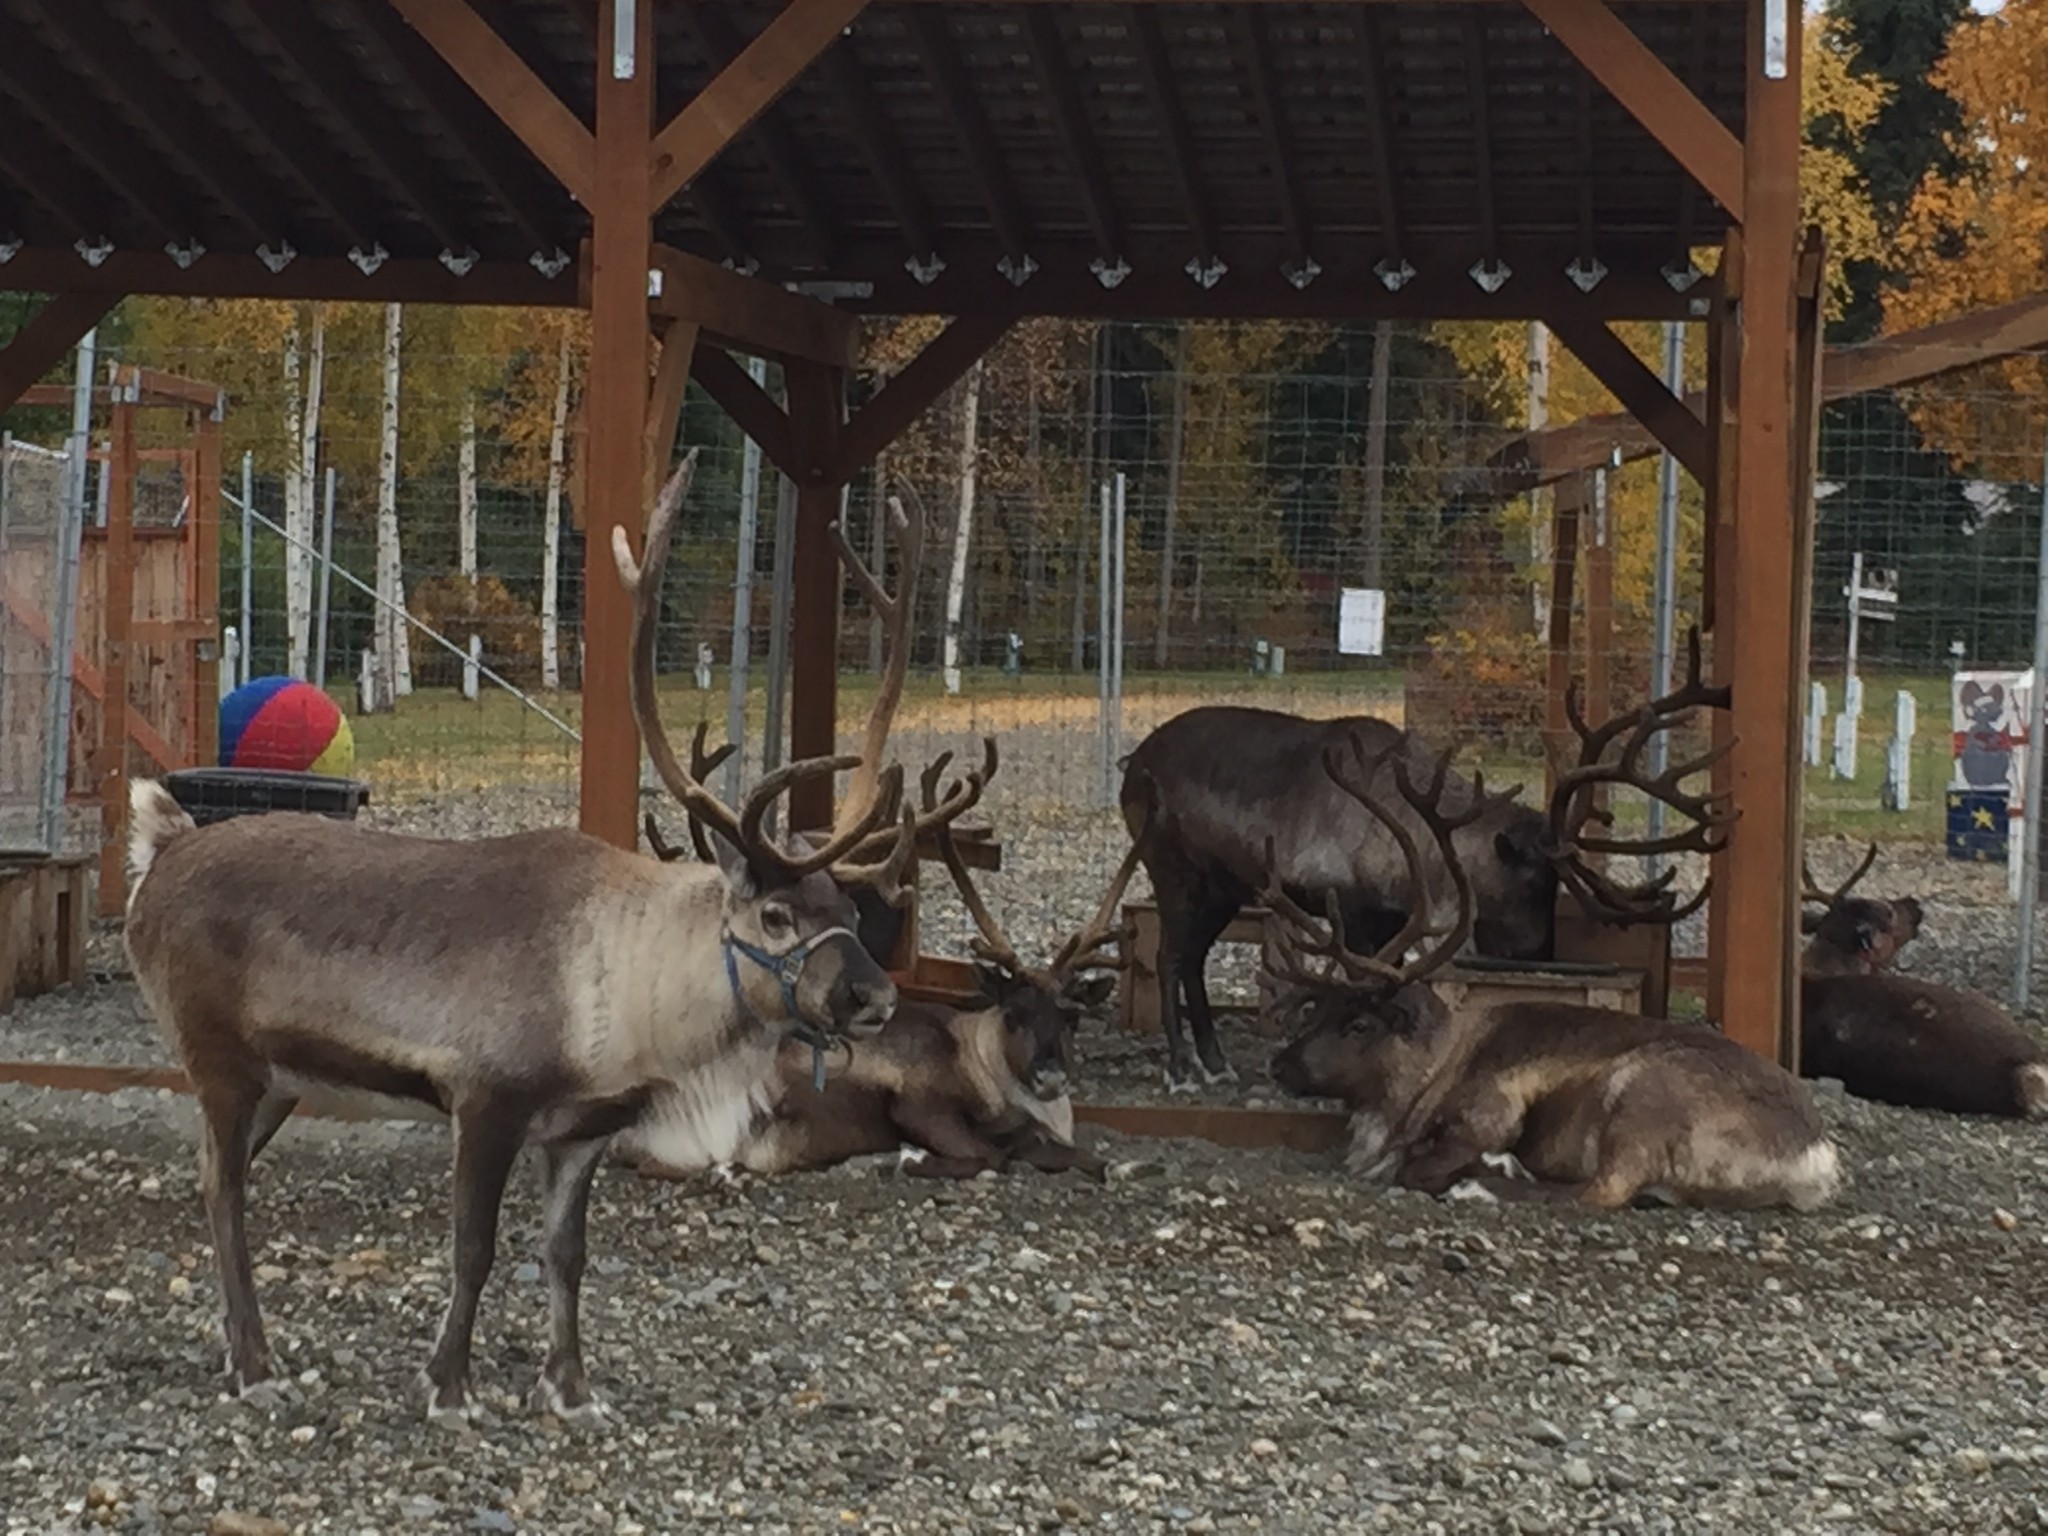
<point>962,1091</point>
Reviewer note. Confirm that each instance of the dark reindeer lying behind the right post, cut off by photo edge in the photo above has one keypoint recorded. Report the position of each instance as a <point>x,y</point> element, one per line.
<point>1897,1039</point>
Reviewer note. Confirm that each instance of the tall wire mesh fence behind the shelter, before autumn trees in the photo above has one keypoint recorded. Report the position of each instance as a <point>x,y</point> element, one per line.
<point>1222,503</point>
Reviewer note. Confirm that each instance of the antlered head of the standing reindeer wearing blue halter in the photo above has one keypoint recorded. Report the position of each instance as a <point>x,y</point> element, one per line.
<point>787,925</point>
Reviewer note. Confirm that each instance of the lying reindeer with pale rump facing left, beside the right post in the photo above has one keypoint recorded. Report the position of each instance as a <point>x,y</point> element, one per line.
<point>1592,1103</point>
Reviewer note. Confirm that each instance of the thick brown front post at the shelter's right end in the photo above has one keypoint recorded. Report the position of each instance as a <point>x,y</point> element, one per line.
<point>1760,951</point>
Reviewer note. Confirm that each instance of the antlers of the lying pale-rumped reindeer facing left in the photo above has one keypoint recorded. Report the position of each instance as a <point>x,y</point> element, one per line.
<point>1316,951</point>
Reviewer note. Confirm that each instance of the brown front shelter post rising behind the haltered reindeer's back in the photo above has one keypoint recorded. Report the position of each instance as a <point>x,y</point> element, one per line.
<point>617,413</point>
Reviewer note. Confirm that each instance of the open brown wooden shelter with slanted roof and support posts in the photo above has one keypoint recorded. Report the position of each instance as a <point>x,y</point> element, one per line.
<point>681,165</point>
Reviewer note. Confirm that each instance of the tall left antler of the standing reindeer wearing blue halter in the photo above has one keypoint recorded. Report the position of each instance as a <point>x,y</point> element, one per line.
<point>742,830</point>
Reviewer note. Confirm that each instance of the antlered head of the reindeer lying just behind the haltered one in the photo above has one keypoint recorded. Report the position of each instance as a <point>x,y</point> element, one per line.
<point>1039,1007</point>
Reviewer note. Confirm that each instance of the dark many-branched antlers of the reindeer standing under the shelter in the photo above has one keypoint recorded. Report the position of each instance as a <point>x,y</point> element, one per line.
<point>1576,802</point>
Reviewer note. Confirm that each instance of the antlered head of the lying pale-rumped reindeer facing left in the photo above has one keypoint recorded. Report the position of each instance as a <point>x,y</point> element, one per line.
<point>1371,1031</point>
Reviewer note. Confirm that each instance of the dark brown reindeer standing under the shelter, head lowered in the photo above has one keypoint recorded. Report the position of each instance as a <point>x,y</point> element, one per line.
<point>1236,783</point>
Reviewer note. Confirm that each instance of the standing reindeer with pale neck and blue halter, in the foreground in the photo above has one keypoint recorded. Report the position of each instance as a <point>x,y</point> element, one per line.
<point>538,988</point>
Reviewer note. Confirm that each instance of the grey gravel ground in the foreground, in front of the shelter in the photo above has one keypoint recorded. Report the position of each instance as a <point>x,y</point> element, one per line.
<point>1209,1342</point>
